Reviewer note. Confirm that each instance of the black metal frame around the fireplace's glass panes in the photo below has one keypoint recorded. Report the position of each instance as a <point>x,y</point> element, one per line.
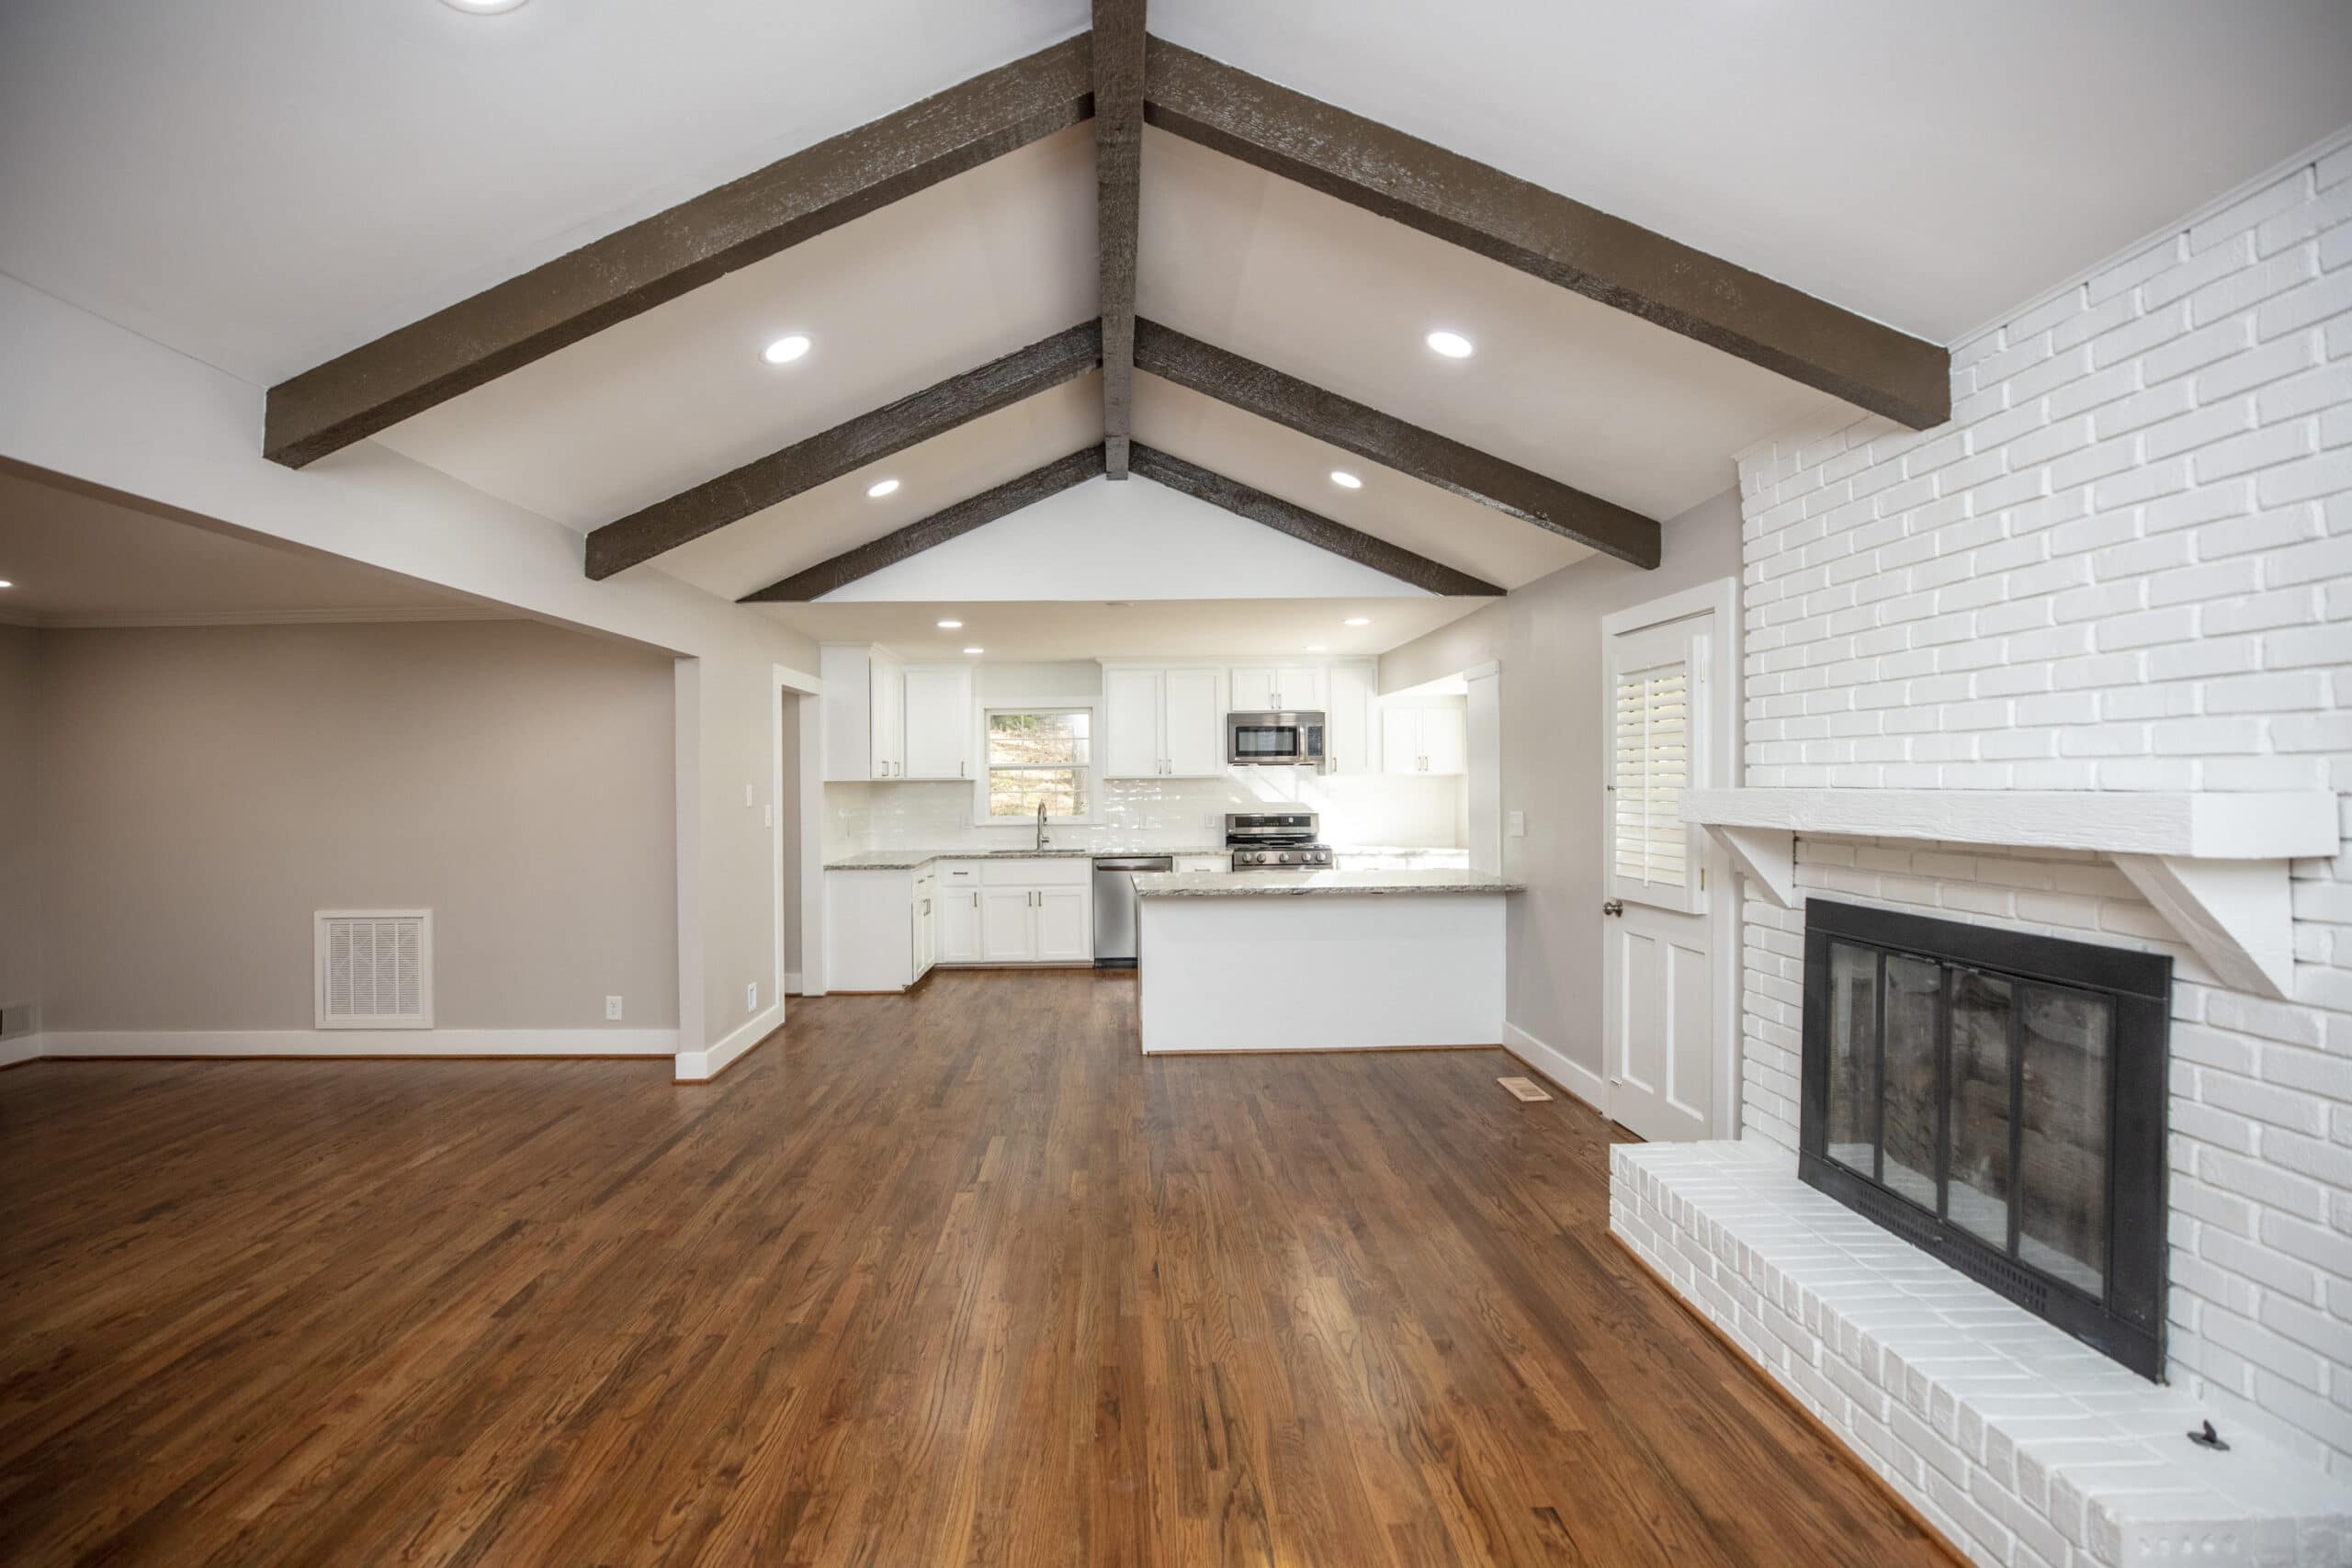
<point>2127,1322</point>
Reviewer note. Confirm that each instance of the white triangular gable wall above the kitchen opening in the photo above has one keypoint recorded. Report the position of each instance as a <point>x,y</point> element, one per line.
<point>1123,540</point>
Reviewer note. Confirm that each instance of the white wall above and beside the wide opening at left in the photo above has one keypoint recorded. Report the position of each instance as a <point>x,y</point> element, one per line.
<point>95,403</point>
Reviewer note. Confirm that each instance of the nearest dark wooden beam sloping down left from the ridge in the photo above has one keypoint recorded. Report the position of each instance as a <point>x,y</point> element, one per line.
<point>671,253</point>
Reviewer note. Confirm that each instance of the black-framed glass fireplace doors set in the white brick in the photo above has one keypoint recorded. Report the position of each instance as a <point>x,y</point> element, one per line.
<point>1996,1099</point>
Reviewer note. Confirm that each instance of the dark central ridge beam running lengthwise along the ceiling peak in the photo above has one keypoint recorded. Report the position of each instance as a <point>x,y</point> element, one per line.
<point>1118,194</point>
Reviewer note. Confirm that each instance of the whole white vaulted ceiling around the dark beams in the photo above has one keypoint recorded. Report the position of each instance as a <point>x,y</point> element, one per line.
<point>274,185</point>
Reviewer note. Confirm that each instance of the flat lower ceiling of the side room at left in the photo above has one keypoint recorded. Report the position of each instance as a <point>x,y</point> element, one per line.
<point>79,558</point>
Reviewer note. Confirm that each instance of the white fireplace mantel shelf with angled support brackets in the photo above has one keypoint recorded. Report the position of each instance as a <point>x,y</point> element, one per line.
<point>2212,864</point>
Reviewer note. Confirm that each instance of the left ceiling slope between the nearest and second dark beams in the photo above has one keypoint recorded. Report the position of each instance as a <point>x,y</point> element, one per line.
<point>895,302</point>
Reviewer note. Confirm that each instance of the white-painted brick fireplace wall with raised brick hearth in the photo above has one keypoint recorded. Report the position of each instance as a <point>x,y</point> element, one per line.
<point>2123,568</point>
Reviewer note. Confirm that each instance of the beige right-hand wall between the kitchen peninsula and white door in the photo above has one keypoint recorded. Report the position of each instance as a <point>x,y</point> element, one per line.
<point>1549,638</point>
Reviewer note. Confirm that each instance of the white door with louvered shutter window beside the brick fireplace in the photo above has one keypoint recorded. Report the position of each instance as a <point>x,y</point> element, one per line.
<point>1657,937</point>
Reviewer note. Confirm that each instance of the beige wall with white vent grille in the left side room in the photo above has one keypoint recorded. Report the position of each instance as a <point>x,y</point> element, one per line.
<point>206,789</point>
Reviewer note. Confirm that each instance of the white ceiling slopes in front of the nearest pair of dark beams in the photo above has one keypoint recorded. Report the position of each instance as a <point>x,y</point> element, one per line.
<point>272,182</point>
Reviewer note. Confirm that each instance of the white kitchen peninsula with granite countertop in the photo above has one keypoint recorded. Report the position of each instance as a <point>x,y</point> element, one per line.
<point>1321,960</point>
